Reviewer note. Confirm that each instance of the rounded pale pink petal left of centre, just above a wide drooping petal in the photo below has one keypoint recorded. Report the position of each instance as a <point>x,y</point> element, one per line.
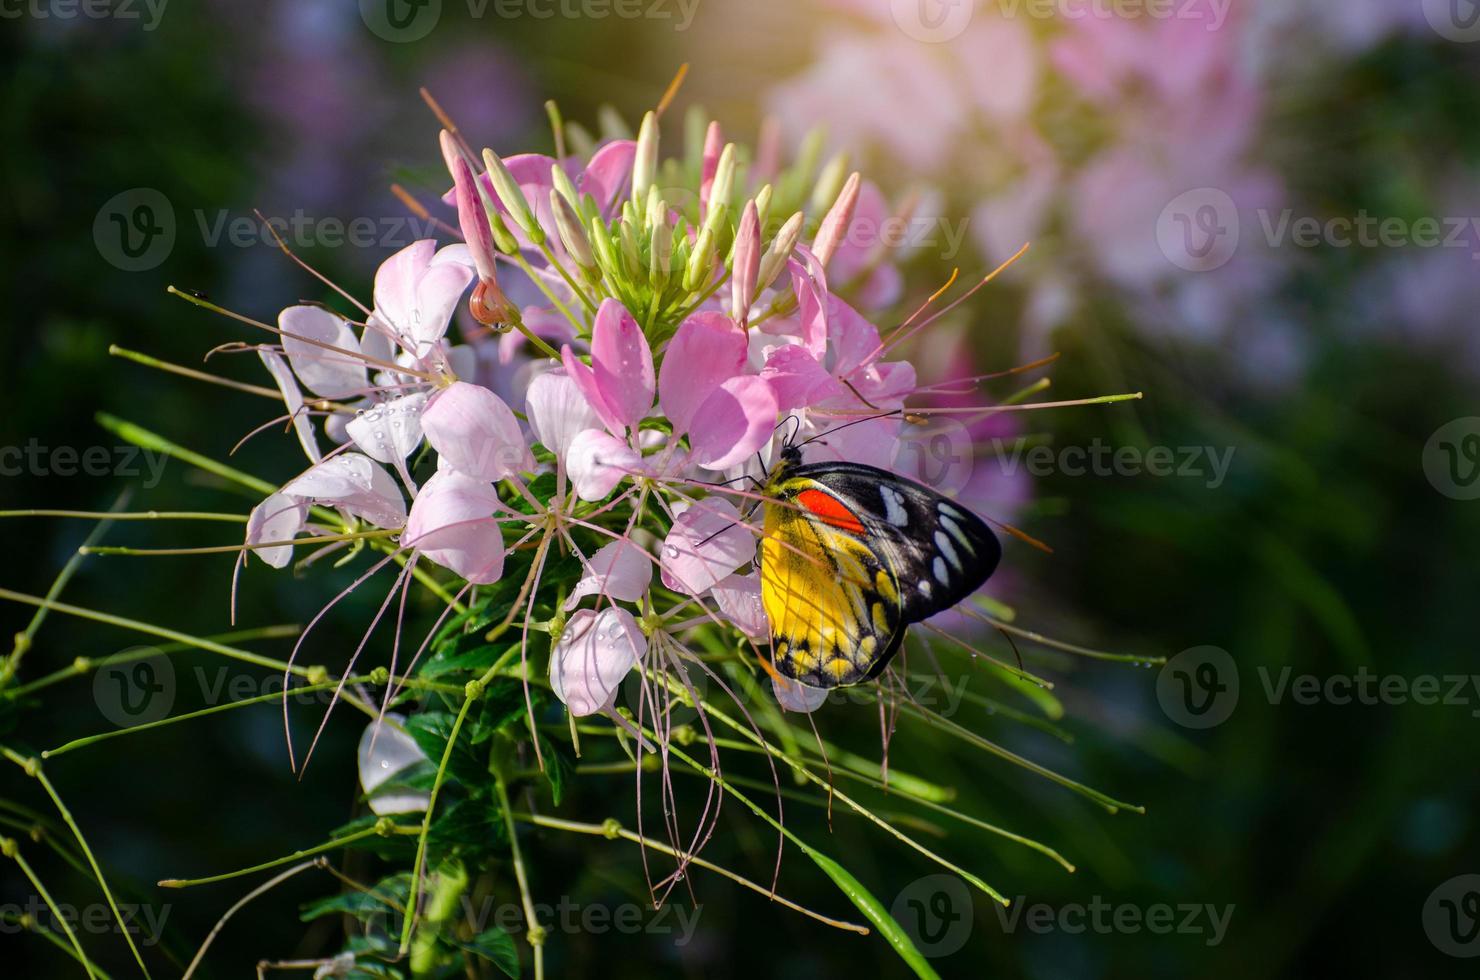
<point>476,433</point>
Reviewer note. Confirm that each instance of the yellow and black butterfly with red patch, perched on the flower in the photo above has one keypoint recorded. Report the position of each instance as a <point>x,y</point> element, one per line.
<point>850,557</point>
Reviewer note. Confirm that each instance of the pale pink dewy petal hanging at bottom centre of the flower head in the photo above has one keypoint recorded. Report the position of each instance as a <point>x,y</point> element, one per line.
<point>591,658</point>
